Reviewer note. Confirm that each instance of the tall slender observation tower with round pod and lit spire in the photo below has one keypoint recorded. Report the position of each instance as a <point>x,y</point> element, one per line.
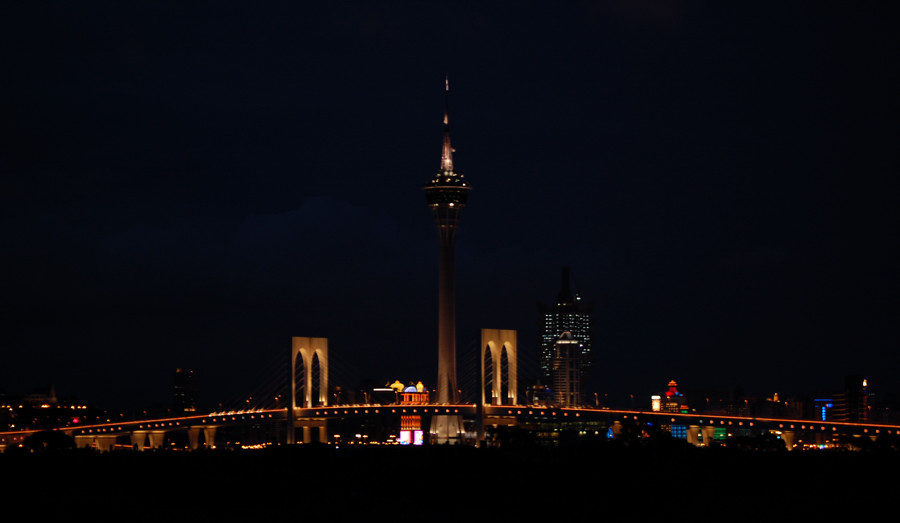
<point>446,195</point>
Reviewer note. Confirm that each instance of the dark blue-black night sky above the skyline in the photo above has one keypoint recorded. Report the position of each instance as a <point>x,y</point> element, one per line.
<point>191,184</point>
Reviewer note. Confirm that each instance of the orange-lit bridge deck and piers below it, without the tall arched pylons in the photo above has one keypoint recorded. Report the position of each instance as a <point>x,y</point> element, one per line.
<point>200,431</point>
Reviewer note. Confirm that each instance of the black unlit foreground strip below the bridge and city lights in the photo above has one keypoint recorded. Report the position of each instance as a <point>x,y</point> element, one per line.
<point>672,481</point>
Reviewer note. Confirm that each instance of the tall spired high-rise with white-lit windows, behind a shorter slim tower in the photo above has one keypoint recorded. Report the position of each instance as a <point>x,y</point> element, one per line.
<point>569,314</point>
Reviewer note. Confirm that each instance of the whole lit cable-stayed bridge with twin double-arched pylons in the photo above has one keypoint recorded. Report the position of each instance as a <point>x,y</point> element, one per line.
<point>296,405</point>
